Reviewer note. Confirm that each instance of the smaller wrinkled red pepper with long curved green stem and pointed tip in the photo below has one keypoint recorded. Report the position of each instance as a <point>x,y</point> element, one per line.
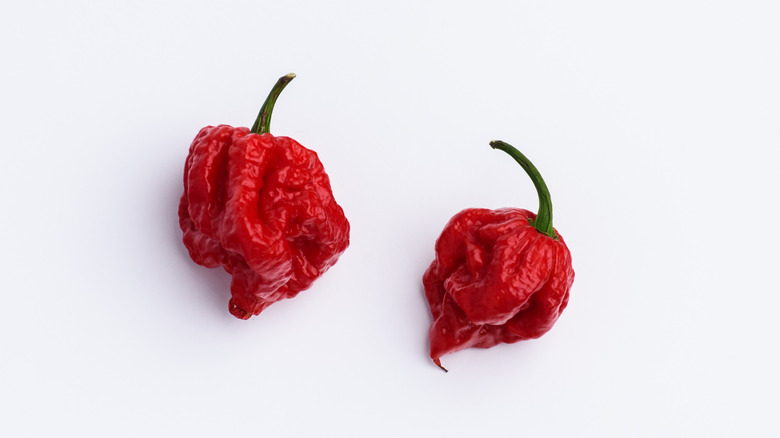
<point>499,275</point>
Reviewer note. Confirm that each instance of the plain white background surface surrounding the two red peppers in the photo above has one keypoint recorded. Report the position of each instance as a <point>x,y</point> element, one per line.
<point>655,123</point>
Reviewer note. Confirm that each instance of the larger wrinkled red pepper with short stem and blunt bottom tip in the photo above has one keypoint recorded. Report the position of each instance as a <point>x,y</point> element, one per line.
<point>261,207</point>
